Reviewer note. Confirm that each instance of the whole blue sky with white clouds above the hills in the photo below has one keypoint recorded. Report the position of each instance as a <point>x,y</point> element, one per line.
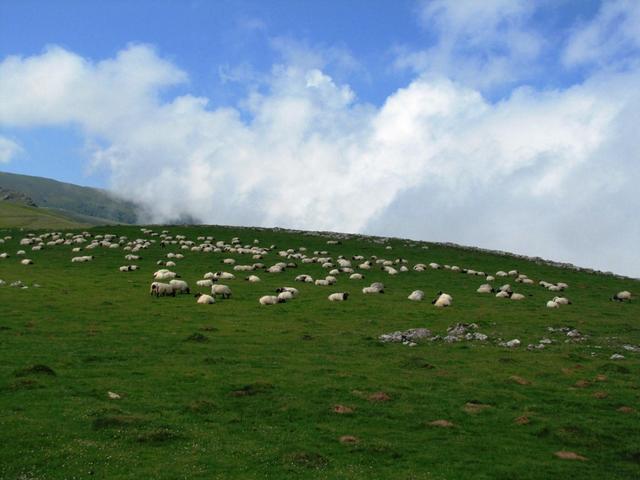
<point>503,124</point>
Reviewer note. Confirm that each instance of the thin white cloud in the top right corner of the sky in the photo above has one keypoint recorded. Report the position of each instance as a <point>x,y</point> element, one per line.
<point>609,38</point>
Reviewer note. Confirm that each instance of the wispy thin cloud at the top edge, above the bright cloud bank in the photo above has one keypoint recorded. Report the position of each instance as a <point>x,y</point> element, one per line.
<point>482,44</point>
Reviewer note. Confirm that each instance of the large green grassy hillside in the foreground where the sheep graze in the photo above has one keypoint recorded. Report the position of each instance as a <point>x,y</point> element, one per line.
<point>304,389</point>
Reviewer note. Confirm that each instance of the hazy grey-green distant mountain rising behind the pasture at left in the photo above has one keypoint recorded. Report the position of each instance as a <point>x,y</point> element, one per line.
<point>85,205</point>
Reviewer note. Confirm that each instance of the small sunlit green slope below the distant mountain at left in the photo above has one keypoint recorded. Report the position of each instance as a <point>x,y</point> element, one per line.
<point>17,215</point>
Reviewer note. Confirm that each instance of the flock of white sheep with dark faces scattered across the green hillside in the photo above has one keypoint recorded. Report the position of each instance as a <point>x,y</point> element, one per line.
<point>168,283</point>
